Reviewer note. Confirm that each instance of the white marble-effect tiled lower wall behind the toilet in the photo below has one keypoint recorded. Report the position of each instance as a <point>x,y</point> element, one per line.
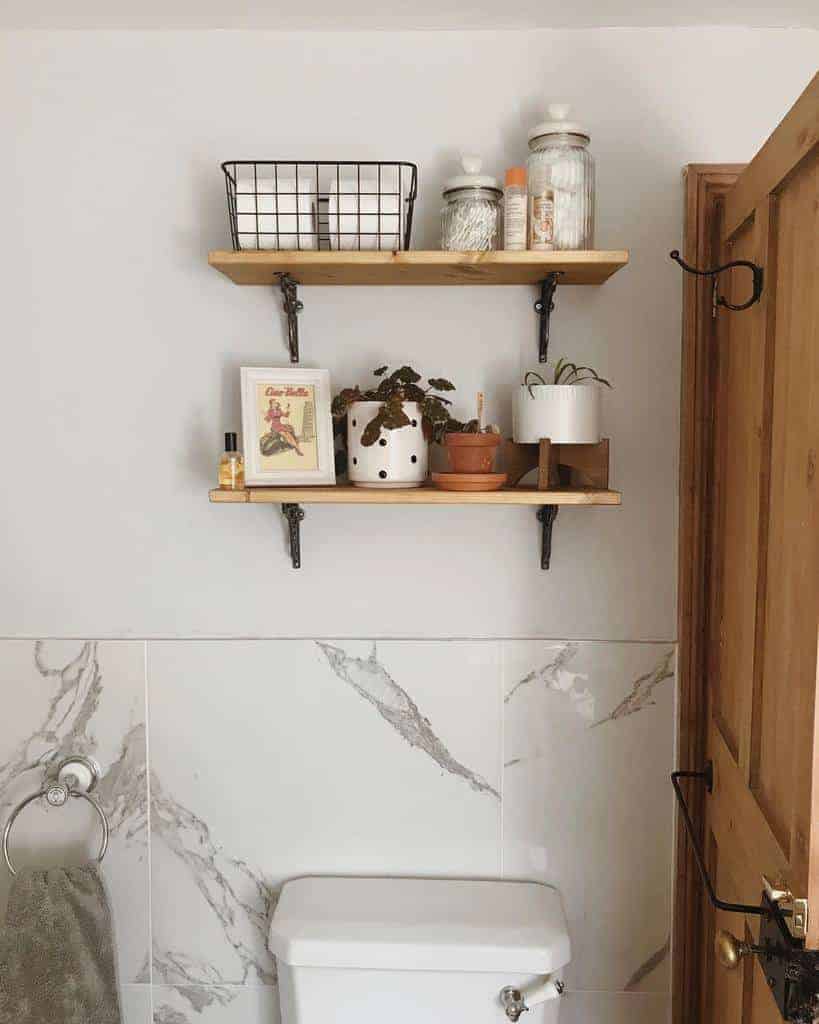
<point>230,766</point>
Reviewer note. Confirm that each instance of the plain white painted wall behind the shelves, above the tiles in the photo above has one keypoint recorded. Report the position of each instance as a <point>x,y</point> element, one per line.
<point>121,348</point>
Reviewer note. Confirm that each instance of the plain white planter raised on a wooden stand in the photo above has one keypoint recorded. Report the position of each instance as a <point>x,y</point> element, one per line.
<point>568,414</point>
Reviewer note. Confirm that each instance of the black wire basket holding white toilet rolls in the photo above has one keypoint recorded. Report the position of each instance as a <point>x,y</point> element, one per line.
<point>321,205</point>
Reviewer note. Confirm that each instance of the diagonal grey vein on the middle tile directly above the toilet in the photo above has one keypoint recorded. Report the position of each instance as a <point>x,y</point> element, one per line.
<point>372,681</point>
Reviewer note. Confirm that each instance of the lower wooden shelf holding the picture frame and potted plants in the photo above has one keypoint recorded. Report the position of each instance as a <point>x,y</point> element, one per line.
<point>348,495</point>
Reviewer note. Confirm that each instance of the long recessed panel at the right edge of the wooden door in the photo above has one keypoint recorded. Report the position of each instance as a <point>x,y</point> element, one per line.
<point>787,727</point>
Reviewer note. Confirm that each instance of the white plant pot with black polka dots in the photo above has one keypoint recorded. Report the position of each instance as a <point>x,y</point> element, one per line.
<point>399,459</point>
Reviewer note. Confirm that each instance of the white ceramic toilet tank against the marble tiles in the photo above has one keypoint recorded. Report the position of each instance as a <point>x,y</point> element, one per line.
<point>417,951</point>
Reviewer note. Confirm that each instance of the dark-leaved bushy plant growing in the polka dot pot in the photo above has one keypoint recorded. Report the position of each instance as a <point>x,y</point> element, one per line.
<point>393,391</point>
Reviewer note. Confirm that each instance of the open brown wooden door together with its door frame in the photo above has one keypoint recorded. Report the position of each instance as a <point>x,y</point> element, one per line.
<point>750,561</point>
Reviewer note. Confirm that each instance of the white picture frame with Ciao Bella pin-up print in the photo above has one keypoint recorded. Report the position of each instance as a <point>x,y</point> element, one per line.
<point>287,426</point>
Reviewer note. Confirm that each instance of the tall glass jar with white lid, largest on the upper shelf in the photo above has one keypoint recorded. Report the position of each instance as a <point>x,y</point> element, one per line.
<point>562,175</point>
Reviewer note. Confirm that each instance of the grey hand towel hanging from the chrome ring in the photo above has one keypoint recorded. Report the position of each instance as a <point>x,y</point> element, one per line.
<point>57,952</point>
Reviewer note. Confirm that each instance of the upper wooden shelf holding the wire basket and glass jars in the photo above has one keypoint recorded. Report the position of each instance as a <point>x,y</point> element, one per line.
<point>417,268</point>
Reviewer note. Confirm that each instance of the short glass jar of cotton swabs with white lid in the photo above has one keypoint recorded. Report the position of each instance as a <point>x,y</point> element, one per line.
<point>471,219</point>
